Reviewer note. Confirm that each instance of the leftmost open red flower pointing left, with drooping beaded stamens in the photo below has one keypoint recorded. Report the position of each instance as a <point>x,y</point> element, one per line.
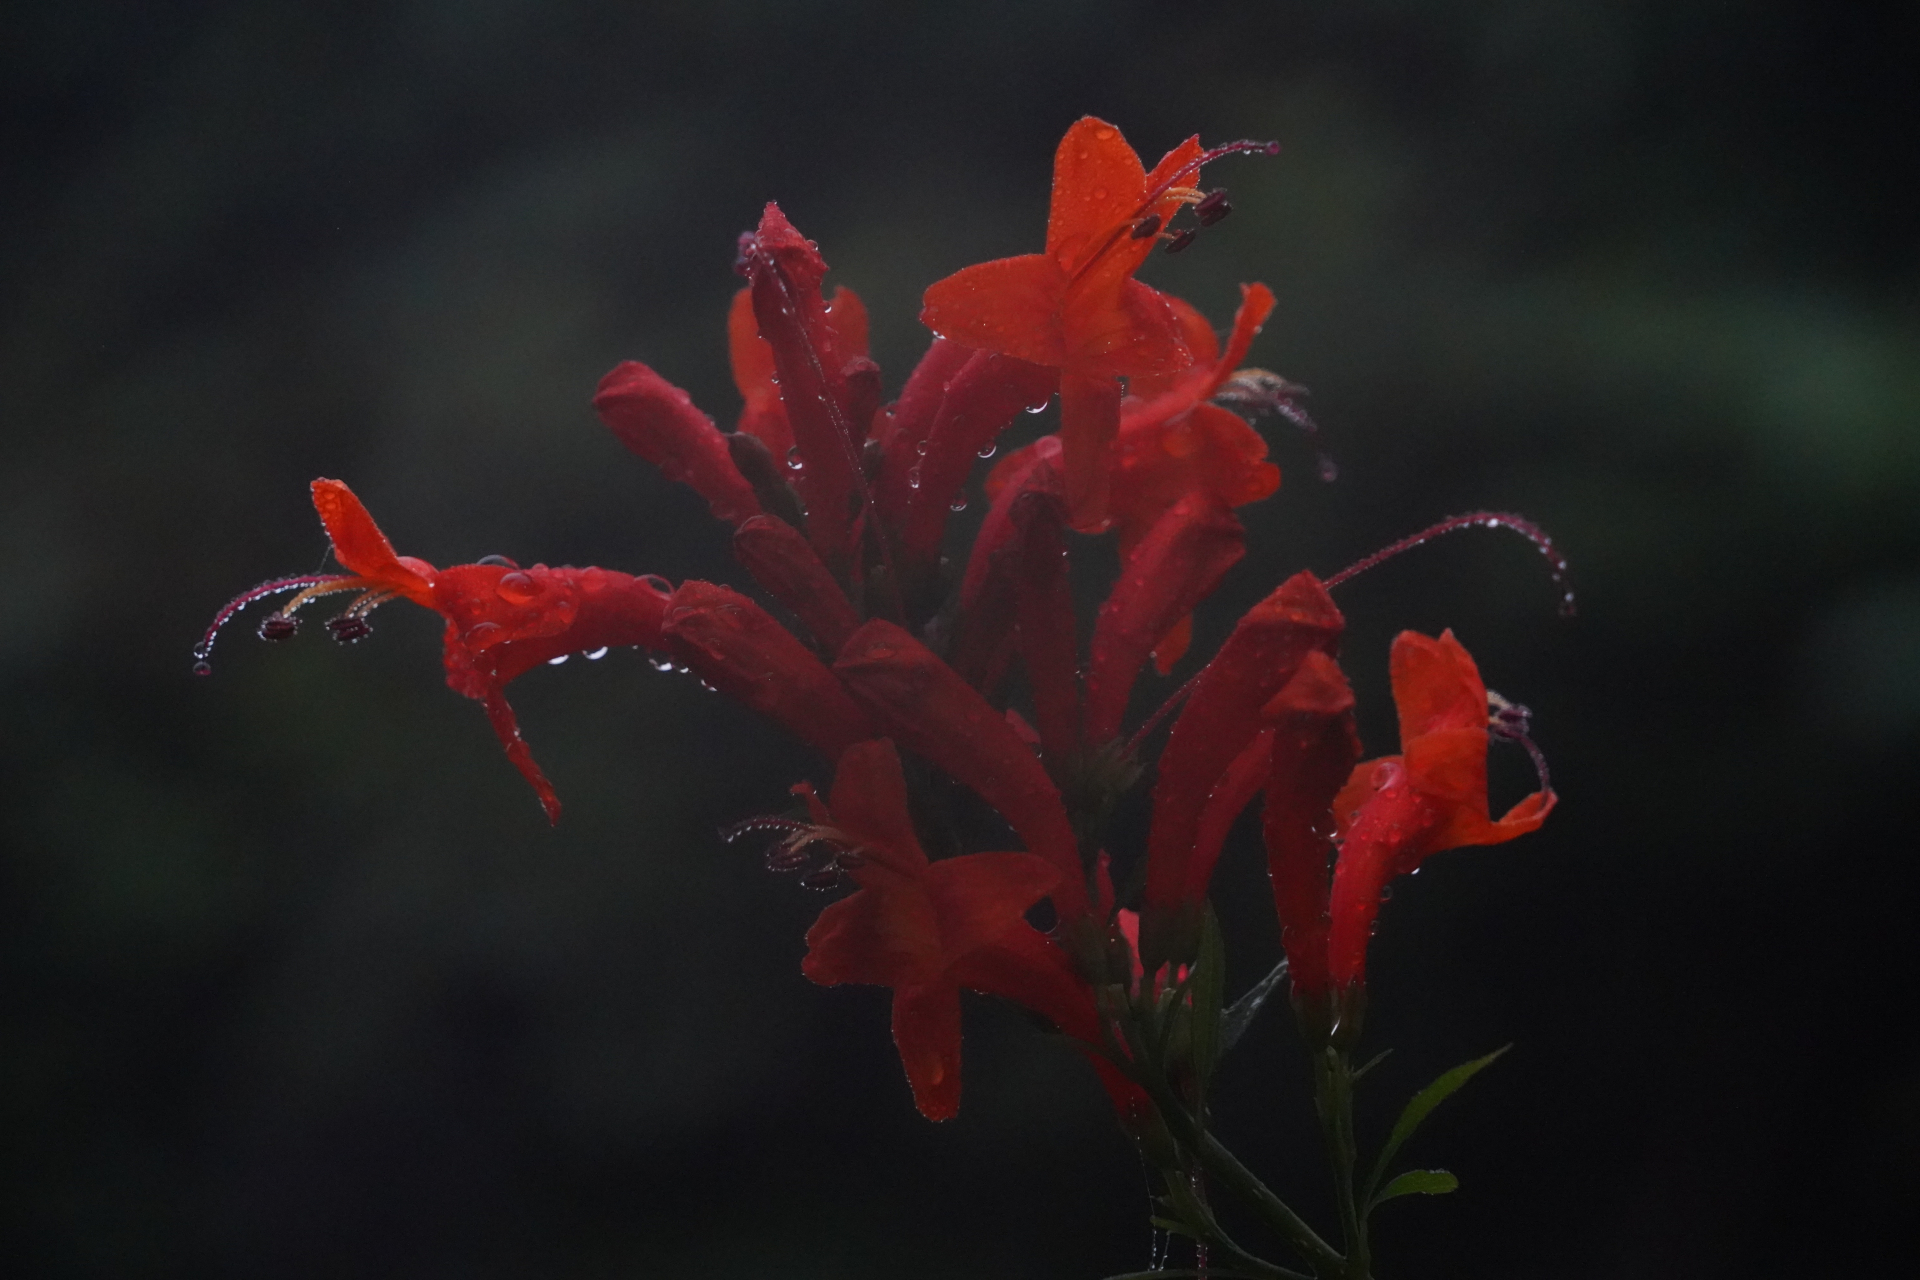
<point>502,621</point>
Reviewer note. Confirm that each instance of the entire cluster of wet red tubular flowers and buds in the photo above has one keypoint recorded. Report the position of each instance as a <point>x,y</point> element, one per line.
<point>903,667</point>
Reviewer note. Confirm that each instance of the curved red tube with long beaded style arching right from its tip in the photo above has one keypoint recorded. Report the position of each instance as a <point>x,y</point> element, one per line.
<point>1222,717</point>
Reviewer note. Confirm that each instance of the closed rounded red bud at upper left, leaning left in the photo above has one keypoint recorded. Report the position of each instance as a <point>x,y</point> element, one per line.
<point>660,423</point>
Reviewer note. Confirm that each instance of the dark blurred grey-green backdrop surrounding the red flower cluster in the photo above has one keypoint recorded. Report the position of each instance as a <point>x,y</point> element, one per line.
<point>300,984</point>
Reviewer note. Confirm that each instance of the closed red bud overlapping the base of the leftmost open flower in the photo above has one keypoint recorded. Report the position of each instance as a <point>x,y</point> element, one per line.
<point>734,646</point>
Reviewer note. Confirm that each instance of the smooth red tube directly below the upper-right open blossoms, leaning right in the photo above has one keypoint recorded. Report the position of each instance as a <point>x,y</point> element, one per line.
<point>1176,567</point>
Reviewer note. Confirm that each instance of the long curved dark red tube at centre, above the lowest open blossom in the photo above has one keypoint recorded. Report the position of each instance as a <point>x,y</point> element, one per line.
<point>934,713</point>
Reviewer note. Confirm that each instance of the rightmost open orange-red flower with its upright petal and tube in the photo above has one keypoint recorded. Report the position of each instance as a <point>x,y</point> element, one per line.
<point>1399,811</point>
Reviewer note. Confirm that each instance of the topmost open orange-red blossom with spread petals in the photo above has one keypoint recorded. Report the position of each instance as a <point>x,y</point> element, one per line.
<point>1078,308</point>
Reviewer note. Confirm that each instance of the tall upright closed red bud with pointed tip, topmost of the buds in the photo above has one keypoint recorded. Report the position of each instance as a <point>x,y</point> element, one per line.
<point>828,394</point>
